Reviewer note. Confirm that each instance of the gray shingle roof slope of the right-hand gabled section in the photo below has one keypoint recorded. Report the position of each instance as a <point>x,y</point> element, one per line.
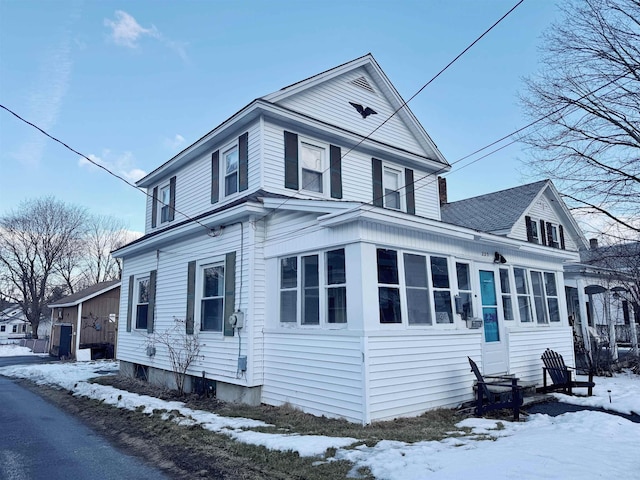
<point>497,211</point>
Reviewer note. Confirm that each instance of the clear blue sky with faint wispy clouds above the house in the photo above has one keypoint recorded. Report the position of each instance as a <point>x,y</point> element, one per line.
<point>130,84</point>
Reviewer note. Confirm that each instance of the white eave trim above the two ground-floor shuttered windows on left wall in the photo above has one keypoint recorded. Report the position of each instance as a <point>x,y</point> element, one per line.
<point>190,229</point>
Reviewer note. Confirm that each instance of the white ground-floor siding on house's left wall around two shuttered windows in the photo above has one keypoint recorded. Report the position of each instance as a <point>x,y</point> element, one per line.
<point>219,353</point>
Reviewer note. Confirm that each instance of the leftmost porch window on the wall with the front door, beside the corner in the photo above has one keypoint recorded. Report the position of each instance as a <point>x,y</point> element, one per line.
<point>388,286</point>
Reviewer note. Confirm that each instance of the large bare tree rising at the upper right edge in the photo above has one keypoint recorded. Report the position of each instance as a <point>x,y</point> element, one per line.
<point>588,93</point>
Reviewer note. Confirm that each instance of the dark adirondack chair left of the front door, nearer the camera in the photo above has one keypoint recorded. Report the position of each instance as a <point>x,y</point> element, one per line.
<point>496,392</point>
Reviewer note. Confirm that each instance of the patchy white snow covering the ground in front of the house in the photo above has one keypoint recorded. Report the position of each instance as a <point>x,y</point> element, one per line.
<point>583,444</point>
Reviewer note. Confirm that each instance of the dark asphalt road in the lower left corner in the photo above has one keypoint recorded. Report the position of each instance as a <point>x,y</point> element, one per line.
<point>41,442</point>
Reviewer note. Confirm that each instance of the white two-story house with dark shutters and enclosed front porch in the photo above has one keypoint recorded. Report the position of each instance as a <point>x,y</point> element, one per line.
<point>304,243</point>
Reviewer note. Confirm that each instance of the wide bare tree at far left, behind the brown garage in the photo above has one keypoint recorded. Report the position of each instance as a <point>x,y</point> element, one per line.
<point>33,240</point>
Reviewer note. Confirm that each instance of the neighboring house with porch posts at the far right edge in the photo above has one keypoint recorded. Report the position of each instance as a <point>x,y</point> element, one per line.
<point>603,288</point>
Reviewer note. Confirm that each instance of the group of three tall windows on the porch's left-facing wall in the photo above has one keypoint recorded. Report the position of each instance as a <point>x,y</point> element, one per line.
<point>313,289</point>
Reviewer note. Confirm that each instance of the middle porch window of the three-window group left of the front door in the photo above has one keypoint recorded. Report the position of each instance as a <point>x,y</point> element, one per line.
<point>416,284</point>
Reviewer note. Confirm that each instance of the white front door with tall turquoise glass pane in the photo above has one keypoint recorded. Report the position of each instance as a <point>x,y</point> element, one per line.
<point>494,345</point>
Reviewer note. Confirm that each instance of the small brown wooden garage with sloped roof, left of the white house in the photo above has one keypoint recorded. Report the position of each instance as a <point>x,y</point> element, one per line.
<point>85,323</point>
